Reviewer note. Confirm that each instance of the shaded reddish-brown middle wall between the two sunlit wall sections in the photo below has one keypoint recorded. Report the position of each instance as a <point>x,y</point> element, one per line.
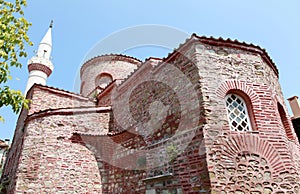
<point>162,103</point>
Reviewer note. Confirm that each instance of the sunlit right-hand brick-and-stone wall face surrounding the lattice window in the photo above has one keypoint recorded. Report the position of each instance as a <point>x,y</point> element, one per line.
<point>259,160</point>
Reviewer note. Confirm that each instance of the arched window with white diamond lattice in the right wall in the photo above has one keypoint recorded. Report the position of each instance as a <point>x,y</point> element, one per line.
<point>237,112</point>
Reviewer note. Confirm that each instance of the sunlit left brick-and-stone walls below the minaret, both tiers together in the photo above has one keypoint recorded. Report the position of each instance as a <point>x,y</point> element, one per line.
<point>41,149</point>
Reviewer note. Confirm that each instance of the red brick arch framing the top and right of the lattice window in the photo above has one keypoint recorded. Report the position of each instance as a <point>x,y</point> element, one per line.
<point>241,89</point>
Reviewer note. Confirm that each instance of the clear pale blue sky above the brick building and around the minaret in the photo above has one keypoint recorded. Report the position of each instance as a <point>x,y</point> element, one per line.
<point>79,25</point>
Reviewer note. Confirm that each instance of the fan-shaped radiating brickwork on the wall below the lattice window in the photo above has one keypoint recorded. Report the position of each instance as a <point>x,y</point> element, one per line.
<point>248,164</point>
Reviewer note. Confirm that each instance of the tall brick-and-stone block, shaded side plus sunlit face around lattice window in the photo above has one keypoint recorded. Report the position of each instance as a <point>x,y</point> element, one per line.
<point>181,160</point>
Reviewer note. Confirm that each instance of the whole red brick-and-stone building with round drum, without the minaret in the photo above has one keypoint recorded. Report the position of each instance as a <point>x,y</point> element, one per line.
<point>160,126</point>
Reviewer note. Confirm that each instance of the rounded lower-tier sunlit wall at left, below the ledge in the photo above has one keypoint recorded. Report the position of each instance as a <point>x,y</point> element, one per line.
<point>51,163</point>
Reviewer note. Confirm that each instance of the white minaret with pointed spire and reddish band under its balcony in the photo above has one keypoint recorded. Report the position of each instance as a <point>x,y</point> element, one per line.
<point>40,66</point>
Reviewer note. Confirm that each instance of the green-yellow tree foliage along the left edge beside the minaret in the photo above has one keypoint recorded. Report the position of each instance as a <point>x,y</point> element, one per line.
<point>13,39</point>
